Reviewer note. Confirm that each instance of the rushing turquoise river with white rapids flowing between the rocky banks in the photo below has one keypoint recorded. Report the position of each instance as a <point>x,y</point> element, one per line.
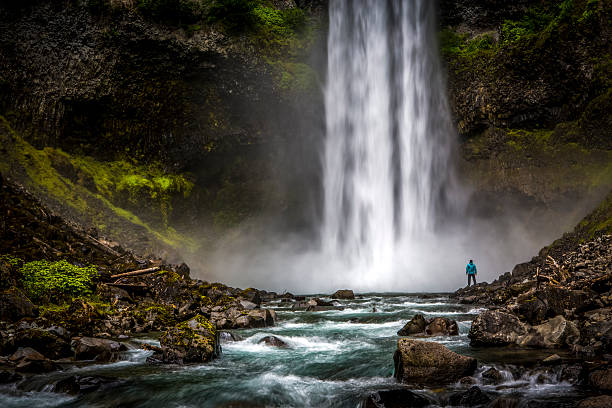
<point>335,359</point>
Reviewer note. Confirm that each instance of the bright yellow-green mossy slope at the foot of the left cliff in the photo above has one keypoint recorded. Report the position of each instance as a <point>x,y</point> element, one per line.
<point>108,192</point>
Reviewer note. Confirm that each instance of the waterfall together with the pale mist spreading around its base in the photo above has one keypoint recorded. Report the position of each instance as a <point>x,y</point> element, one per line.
<point>395,215</point>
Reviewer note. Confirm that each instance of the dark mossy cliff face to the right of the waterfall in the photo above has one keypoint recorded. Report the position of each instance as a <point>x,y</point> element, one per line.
<point>530,88</point>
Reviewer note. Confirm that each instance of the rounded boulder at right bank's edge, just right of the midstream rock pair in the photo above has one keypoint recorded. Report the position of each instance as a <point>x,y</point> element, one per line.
<point>496,328</point>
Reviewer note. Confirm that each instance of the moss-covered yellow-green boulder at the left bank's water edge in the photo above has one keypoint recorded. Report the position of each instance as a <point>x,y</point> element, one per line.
<point>193,341</point>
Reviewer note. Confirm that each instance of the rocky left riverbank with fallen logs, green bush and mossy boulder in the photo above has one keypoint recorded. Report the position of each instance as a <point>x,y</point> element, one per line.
<point>46,325</point>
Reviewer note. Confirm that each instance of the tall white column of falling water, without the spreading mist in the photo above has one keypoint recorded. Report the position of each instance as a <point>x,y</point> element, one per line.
<point>389,134</point>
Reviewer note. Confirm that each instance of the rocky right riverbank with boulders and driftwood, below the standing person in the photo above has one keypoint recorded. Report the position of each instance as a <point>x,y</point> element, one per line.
<point>560,300</point>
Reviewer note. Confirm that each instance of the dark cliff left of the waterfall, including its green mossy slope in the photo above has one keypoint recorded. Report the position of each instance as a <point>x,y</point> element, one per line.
<point>184,90</point>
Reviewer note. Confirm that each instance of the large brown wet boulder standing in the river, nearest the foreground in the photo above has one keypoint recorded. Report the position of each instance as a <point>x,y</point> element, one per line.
<point>427,363</point>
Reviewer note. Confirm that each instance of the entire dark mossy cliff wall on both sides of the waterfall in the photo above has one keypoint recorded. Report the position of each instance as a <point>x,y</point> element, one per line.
<point>161,121</point>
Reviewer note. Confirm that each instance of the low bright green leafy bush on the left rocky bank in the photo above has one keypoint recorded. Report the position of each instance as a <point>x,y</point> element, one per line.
<point>46,281</point>
